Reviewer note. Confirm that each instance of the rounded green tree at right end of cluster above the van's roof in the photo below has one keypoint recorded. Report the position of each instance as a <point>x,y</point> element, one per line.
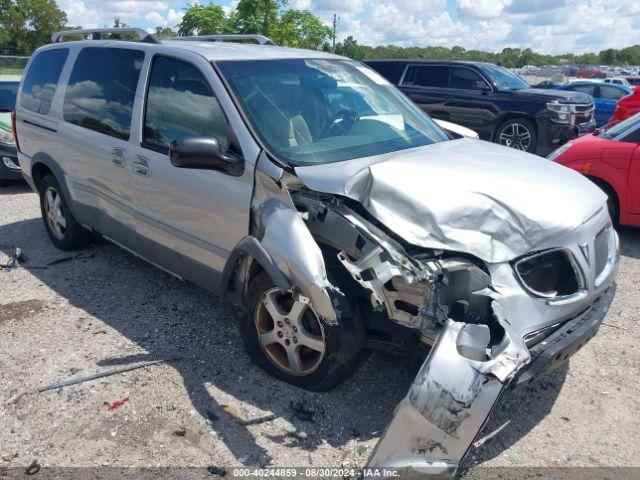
<point>300,29</point>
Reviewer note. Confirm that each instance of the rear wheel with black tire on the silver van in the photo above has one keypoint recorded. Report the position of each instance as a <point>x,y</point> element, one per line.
<point>63,229</point>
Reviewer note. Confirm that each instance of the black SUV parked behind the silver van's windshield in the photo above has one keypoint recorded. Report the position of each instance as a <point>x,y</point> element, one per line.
<point>493,101</point>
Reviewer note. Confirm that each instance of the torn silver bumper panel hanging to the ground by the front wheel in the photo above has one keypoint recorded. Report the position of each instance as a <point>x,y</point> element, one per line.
<point>446,406</point>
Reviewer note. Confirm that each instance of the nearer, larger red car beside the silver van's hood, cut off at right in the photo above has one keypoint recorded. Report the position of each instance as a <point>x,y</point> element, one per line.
<point>610,157</point>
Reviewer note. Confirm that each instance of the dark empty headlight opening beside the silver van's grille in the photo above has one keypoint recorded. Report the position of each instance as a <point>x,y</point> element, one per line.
<point>550,274</point>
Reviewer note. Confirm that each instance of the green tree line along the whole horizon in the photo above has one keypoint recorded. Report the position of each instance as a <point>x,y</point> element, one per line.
<point>28,24</point>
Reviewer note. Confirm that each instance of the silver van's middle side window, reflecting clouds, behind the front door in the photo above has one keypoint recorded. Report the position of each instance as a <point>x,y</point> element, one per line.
<point>102,89</point>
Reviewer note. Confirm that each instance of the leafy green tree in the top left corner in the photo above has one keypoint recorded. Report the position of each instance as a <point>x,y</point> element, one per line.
<point>28,24</point>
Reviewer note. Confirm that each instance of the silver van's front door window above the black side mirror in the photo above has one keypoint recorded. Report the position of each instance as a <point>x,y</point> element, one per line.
<point>180,103</point>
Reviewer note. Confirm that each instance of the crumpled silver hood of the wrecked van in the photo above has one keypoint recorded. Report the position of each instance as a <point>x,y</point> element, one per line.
<point>466,195</point>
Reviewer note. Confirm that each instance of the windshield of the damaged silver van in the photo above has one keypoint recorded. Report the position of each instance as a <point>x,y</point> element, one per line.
<point>321,111</point>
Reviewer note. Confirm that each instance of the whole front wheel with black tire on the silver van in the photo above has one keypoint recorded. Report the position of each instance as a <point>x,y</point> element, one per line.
<point>287,339</point>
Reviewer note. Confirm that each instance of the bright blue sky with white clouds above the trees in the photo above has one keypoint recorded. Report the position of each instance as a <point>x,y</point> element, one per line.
<point>547,26</point>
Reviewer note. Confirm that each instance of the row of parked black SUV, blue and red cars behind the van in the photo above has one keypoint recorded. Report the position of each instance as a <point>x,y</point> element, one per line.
<point>589,126</point>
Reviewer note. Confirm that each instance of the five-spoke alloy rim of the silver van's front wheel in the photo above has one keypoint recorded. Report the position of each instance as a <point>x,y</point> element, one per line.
<point>290,333</point>
